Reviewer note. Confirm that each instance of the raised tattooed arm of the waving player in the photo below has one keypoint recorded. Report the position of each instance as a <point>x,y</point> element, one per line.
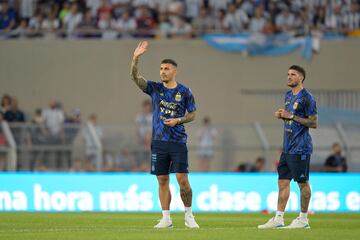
<point>139,80</point>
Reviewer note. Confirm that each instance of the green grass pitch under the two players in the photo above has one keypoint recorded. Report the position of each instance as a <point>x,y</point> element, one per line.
<point>224,226</point>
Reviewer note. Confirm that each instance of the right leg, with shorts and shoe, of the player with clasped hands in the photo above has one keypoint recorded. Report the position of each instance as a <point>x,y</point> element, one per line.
<point>300,168</point>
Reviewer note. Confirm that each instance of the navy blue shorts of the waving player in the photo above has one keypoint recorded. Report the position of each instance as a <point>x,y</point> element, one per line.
<point>168,157</point>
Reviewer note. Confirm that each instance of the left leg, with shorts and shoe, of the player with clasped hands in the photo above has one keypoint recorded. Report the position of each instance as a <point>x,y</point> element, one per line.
<point>285,176</point>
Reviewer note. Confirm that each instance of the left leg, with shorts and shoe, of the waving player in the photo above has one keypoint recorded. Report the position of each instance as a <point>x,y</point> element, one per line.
<point>160,164</point>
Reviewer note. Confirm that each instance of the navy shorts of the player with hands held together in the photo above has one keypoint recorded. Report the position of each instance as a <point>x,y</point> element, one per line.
<point>294,166</point>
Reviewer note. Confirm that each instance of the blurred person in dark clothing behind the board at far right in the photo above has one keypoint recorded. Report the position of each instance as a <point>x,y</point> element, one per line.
<point>336,162</point>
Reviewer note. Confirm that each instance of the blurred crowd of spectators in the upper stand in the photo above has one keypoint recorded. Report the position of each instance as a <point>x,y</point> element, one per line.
<point>112,19</point>
